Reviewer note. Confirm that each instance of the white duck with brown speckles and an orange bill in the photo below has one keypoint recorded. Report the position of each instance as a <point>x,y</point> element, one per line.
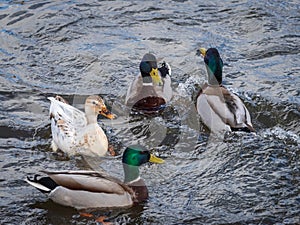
<point>75,132</point>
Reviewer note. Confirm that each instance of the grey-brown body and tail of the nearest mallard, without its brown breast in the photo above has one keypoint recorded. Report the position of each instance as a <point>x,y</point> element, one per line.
<point>84,189</point>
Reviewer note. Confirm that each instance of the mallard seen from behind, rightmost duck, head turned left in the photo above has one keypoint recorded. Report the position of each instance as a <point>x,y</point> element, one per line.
<point>218,108</point>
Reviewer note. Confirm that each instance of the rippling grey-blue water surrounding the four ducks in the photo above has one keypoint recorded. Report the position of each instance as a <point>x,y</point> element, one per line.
<point>77,48</point>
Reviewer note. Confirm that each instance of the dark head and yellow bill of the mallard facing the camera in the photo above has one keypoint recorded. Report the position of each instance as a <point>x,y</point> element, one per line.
<point>149,70</point>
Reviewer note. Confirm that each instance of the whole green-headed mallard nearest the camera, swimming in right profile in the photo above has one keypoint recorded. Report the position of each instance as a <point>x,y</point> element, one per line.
<point>91,189</point>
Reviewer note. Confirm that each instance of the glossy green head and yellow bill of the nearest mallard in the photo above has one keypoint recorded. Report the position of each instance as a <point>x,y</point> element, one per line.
<point>137,155</point>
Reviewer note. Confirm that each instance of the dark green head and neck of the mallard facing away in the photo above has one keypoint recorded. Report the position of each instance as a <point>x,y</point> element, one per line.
<point>214,65</point>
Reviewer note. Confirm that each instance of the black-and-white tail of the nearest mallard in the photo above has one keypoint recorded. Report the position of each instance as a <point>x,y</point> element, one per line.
<point>43,184</point>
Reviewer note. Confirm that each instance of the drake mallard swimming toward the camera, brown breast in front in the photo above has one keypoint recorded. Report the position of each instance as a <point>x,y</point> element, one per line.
<point>151,90</point>
